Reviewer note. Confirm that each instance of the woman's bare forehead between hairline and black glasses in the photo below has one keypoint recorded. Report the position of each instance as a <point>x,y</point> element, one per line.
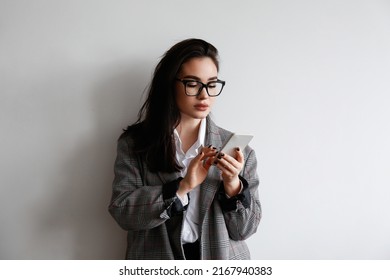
<point>202,67</point>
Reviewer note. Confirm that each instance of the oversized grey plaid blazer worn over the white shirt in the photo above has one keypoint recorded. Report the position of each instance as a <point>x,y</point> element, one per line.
<point>138,206</point>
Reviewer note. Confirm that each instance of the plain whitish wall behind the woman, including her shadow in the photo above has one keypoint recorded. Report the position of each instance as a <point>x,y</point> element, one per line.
<point>310,79</point>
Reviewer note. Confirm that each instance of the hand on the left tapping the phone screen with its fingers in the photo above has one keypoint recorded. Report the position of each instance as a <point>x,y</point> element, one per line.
<point>197,171</point>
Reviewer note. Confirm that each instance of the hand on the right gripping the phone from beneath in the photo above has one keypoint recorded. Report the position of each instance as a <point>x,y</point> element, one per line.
<point>230,168</point>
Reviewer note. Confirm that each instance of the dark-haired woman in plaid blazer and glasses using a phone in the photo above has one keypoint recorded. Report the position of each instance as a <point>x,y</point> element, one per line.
<point>172,192</point>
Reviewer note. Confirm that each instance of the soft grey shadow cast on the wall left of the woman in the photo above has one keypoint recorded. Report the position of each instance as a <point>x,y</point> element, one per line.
<point>77,217</point>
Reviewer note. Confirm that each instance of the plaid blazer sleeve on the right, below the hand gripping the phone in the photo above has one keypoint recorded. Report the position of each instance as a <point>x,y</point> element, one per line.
<point>242,221</point>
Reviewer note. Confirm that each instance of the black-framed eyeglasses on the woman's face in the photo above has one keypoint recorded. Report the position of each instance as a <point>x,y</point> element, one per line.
<point>194,87</point>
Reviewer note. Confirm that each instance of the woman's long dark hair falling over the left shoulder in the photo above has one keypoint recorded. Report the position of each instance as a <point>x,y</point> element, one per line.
<point>159,115</point>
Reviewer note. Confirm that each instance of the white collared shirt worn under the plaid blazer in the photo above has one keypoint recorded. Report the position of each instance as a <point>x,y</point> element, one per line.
<point>190,231</point>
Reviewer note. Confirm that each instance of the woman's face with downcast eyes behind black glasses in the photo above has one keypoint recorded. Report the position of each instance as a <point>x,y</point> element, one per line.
<point>200,69</point>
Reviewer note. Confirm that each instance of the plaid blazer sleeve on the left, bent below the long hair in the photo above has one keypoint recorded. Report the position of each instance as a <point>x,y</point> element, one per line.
<point>133,205</point>
